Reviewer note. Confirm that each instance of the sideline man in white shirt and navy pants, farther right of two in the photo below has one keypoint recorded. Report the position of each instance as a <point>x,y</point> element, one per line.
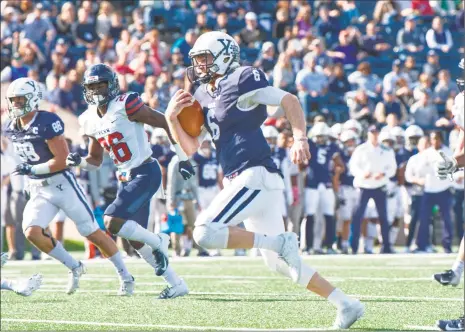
<point>437,192</point>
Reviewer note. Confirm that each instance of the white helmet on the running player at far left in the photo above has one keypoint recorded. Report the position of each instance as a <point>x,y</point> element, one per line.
<point>27,88</point>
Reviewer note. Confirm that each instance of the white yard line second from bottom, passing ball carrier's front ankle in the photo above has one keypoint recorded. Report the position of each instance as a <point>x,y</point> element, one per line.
<point>248,294</point>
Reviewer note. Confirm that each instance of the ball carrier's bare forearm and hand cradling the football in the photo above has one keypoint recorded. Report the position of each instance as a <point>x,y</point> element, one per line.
<point>180,100</point>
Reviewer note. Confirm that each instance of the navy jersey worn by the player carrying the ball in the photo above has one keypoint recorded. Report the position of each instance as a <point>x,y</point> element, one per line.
<point>239,141</point>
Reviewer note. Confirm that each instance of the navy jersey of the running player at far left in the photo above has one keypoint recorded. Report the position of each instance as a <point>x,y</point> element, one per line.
<point>30,142</point>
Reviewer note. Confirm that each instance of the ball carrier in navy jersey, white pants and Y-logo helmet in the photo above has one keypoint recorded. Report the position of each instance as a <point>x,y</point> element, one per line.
<point>234,99</point>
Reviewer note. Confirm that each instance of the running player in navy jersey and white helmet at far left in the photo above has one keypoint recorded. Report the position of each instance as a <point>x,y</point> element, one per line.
<point>37,137</point>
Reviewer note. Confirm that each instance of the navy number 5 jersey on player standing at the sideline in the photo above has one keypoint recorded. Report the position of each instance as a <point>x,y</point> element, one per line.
<point>319,170</point>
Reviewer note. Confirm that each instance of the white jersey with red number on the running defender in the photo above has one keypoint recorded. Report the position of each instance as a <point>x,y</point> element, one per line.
<point>126,141</point>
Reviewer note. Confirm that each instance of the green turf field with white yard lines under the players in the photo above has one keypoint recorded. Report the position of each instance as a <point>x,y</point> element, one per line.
<point>232,294</point>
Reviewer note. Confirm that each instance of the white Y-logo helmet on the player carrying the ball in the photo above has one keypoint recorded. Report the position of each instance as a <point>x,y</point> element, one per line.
<point>224,51</point>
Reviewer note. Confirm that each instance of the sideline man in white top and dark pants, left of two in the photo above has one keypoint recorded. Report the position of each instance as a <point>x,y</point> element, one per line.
<point>372,164</point>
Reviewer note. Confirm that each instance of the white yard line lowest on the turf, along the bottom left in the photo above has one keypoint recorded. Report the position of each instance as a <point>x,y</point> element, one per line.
<point>163,326</point>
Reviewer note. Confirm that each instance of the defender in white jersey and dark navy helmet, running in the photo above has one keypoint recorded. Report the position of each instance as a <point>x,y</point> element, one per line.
<point>115,123</point>
